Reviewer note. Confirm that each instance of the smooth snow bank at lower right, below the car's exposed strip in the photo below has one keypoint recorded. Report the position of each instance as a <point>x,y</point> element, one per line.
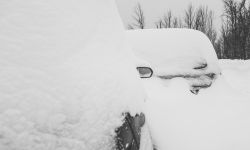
<point>217,118</point>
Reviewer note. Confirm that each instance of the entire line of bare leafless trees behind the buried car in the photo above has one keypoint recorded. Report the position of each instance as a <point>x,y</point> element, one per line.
<point>232,41</point>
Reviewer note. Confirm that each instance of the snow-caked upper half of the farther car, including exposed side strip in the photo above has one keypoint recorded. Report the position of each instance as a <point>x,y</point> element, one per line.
<point>177,53</point>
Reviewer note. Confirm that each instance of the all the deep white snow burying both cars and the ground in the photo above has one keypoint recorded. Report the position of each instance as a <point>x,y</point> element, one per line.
<point>66,75</point>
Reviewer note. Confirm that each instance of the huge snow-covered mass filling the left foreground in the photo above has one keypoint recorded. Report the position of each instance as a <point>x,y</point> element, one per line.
<point>66,75</point>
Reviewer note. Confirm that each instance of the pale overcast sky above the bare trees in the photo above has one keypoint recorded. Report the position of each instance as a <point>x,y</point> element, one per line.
<point>154,9</point>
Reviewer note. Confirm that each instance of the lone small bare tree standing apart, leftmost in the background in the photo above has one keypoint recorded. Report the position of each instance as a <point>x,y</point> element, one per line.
<point>139,18</point>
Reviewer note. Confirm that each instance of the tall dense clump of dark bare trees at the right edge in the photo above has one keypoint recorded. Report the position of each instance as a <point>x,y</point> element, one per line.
<point>236,29</point>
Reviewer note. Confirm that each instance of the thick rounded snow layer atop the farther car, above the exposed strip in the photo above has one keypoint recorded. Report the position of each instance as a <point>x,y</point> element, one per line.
<point>173,51</point>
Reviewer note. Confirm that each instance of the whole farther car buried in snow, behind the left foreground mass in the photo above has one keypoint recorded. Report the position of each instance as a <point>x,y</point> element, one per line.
<point>215,118</point>
